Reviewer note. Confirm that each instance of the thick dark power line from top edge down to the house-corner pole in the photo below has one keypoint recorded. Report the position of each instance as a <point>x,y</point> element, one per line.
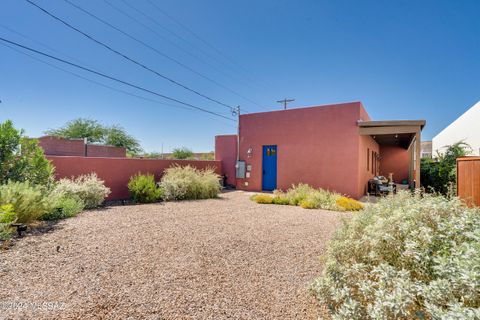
<point>127,57</point>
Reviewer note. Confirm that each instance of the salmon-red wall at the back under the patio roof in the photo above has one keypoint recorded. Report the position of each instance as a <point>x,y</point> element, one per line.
<point>394,159</point>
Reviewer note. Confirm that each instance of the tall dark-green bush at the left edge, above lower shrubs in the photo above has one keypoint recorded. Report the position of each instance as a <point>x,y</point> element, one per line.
<point>21,159</point>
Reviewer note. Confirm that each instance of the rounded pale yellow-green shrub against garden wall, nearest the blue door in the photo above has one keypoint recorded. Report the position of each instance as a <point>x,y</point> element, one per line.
<point>180,183</point>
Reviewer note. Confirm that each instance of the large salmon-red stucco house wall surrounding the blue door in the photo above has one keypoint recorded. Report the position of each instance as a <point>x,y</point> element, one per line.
<point>316,145</point>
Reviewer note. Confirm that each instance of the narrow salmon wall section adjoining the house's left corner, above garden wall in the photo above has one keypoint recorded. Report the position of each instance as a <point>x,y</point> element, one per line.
<point>226,152</point>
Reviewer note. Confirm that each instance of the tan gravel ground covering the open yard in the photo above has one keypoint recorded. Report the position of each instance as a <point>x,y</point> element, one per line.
<point>226,258</point>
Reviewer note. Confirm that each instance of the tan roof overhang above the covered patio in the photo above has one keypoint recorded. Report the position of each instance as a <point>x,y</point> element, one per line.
<point>393,132</point>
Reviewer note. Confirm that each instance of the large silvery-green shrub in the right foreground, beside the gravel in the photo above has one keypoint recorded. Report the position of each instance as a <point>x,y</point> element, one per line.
<point>407,257</point>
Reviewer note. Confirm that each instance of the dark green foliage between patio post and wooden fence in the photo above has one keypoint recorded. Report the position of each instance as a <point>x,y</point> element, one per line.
<point>440,174</point>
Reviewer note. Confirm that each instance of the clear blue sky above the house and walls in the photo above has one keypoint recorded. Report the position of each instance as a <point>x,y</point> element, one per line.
<point>402,59</point>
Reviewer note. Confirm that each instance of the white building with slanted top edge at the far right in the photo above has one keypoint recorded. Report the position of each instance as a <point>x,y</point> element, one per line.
<point>466,128</point>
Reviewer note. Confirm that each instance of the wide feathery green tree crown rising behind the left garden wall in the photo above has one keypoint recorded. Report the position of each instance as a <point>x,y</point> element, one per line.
<point>96,132</point>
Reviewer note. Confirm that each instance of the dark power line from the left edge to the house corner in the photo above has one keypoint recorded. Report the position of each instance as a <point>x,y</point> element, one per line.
<point>114,78</point>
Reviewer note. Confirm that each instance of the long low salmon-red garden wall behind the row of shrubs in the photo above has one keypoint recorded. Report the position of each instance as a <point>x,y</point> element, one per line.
<point>116,172</point>
